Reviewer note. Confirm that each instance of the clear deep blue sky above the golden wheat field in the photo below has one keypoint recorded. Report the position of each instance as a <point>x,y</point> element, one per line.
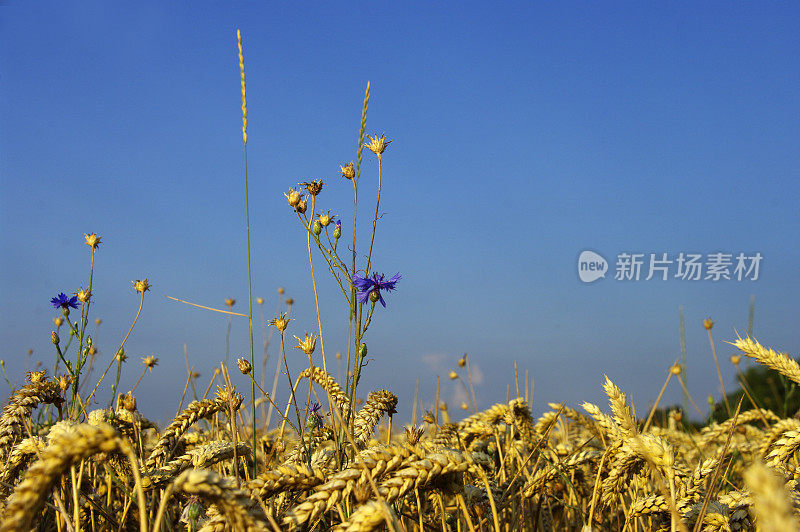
<point>523,135</point>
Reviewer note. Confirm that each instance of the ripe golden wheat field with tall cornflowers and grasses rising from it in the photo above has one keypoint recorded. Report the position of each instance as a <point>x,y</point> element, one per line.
<point>338,463</point>
